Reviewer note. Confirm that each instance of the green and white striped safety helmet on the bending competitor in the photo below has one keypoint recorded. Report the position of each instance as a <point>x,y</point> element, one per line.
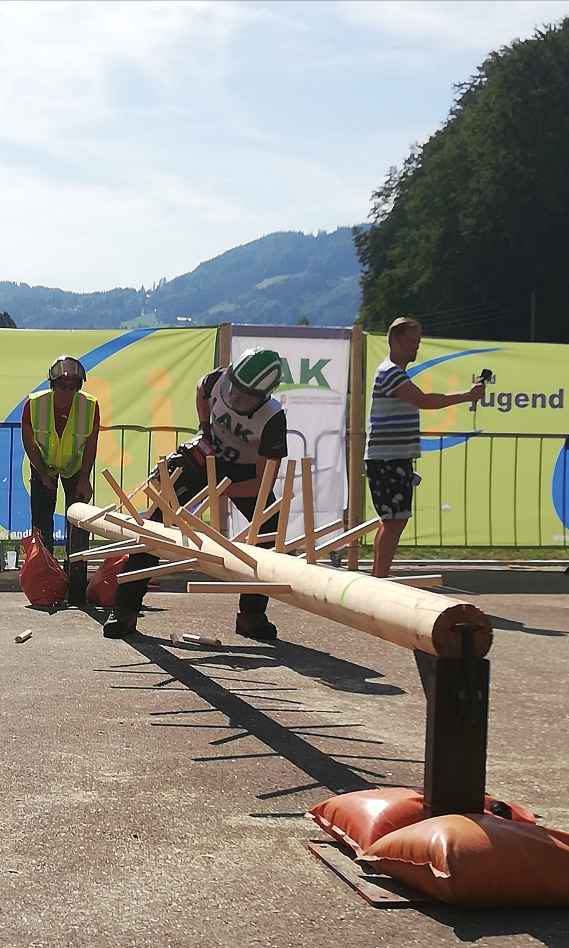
<point>248,382</point>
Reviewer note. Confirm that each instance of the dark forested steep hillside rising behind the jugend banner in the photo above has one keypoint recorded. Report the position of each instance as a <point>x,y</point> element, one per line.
<point>470,235</point>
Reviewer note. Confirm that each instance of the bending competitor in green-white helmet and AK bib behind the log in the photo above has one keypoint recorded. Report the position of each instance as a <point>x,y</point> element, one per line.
<point>243,427</point>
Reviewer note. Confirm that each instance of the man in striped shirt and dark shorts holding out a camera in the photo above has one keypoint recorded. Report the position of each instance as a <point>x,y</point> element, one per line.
<point>393,437</point>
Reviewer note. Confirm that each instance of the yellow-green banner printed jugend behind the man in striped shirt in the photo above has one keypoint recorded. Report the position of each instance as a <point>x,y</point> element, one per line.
<point>498,476</point>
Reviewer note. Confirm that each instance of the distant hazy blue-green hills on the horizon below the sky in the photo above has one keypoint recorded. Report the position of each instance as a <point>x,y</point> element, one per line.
<point>282,278</point>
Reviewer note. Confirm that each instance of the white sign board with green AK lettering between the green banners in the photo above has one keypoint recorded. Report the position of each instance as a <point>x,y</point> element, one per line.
<point>313,393</point>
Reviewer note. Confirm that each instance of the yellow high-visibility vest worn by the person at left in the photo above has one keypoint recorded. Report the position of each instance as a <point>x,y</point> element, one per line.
<point>63,455</point>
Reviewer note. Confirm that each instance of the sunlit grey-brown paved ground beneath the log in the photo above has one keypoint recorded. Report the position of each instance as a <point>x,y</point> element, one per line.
<point>153,796</point>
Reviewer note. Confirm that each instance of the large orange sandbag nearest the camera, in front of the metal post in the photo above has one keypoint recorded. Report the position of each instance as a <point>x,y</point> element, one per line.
<point>477,861</point>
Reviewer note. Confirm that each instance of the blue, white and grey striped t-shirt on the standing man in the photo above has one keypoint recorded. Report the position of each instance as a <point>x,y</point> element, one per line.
<point>393,430</point>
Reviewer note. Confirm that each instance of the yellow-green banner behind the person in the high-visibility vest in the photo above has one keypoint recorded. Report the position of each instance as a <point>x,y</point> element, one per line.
<point>145,378</point>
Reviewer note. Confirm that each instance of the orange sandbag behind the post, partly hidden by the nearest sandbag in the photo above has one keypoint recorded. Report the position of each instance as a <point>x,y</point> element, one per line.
<point>358,819</point>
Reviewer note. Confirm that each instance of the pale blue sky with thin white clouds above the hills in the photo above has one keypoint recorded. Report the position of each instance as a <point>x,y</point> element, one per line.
<point>138,139</point>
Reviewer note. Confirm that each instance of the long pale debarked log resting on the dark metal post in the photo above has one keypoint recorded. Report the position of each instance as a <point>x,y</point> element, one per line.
<point>409,617</point>
